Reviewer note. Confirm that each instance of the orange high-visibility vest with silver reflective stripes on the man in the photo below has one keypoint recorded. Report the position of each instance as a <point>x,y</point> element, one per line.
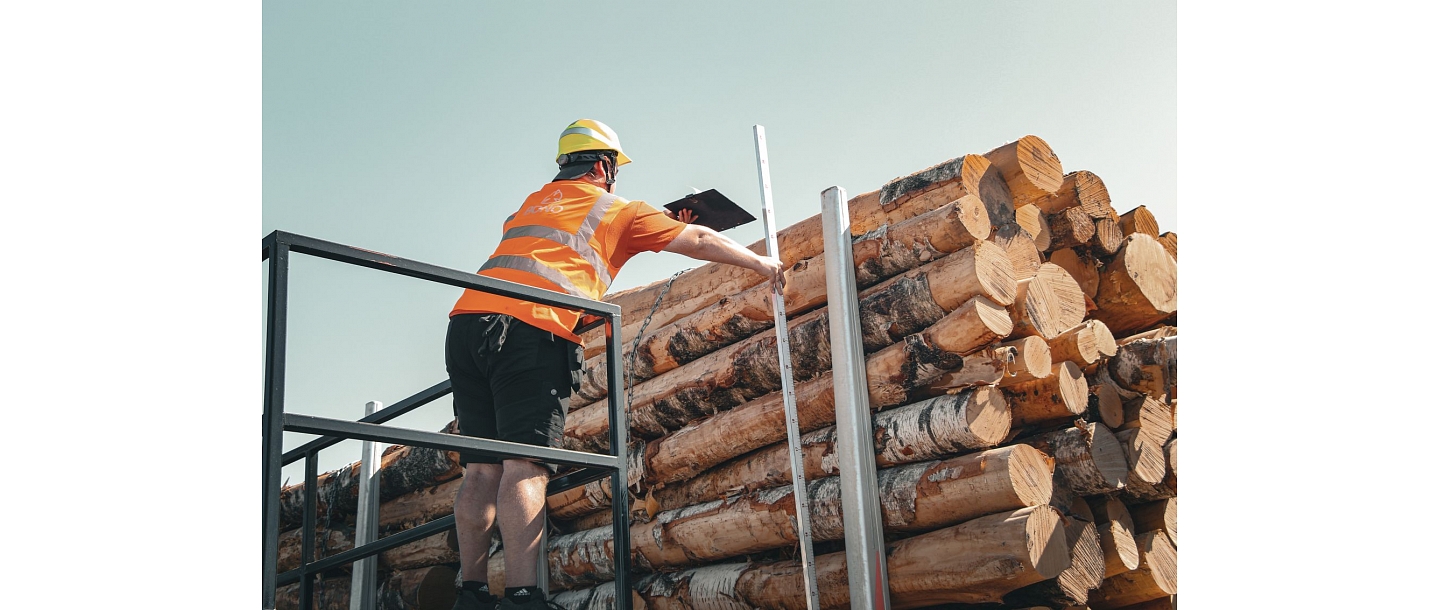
<point>559,241</point>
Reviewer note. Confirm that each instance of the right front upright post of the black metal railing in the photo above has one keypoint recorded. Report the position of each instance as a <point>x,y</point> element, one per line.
<point>620,447</point>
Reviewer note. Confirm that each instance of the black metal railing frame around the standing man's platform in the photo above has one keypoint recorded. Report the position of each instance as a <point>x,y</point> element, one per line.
<point>277,248</point>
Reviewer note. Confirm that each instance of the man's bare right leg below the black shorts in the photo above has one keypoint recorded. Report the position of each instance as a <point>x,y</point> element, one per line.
<point>522,486</point>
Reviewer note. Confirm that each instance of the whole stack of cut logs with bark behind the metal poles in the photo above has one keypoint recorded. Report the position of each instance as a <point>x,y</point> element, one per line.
<point>1020,350</point>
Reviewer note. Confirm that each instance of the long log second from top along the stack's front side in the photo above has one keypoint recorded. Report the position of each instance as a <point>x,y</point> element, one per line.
<point>879,255</point>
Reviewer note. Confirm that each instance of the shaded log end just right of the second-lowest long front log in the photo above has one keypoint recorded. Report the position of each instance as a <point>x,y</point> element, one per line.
<point>1088,457</point>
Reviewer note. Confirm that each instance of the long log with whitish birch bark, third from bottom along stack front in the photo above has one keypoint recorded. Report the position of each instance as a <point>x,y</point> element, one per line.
<point>935,428</point>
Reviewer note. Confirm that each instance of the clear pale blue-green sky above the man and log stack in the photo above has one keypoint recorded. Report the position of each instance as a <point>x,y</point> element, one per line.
<point>415,129</point>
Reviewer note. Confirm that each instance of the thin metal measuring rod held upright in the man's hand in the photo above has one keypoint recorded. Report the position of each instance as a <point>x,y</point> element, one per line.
<point>793,422</point>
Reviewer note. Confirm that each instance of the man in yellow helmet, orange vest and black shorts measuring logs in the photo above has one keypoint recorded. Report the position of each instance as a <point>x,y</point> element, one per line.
<point>513,365</point>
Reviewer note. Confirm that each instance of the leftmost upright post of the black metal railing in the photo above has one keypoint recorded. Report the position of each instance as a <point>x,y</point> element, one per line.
<point>273,418</point>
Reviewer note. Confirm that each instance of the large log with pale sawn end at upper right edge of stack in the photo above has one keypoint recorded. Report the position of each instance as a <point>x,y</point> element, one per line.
<point>1137,287</point>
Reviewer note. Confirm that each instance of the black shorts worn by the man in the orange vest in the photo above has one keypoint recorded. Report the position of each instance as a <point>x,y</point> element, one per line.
<point>512,381</point>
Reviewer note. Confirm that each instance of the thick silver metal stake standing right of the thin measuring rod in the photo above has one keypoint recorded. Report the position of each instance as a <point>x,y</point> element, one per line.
<point>855,434</point>
